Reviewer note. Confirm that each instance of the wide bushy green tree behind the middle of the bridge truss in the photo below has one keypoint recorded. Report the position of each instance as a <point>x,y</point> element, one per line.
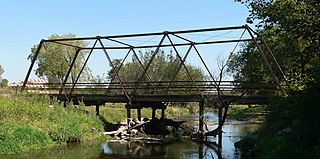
<point>162,68</point>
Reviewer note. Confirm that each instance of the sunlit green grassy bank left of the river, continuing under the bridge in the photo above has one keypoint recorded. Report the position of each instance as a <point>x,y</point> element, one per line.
<point>28,123</point>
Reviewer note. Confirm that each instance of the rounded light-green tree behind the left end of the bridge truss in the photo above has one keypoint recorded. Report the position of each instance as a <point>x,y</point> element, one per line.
<point>54,60</point>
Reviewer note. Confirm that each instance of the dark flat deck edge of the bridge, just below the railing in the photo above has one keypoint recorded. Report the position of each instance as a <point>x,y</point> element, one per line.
<point>93,99</point>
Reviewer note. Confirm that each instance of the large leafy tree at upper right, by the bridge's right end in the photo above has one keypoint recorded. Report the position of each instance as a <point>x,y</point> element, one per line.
<point>291,28</point>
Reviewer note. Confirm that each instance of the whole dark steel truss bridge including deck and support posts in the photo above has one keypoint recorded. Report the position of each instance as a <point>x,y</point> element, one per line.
<point>147,92</point>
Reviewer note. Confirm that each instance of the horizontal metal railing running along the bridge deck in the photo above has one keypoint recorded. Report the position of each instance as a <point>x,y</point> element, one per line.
<point>163,87</point>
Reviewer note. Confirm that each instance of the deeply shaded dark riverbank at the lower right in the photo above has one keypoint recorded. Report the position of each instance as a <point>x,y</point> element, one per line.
<point>291,128</point>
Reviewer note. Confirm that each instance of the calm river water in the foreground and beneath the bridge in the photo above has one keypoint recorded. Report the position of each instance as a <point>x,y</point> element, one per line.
<point>185,149</point>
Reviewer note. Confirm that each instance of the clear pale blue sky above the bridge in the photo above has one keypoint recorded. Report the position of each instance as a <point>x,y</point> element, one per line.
<point>25,23</point>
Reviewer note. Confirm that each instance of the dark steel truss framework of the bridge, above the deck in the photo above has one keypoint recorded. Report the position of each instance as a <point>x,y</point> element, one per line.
<point>168,39</point>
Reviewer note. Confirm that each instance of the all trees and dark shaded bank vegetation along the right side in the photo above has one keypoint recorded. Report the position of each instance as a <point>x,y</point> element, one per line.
<point>291,30</point>
